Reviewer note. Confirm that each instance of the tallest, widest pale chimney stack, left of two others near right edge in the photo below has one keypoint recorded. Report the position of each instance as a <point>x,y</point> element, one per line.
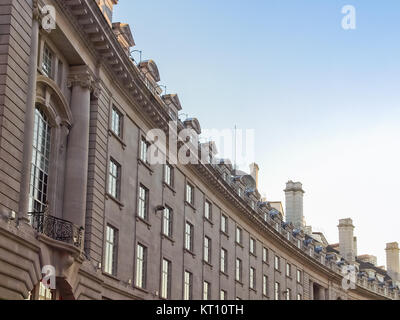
<point>294,204</point>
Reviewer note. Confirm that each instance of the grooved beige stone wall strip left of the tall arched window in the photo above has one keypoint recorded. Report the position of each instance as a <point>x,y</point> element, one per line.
<point>15,29</point>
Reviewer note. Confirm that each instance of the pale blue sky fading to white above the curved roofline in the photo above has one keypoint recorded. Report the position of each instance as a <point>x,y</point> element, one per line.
<point>324,102</point>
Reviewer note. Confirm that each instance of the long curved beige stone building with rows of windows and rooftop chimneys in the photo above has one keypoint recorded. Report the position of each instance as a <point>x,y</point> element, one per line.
<point>77,192</point>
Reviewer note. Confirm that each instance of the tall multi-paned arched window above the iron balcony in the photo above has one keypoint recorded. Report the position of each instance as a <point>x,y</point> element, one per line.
<point>40,163</point>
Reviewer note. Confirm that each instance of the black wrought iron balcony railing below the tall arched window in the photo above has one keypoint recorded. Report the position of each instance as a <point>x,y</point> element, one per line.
<point>57,229</point>
